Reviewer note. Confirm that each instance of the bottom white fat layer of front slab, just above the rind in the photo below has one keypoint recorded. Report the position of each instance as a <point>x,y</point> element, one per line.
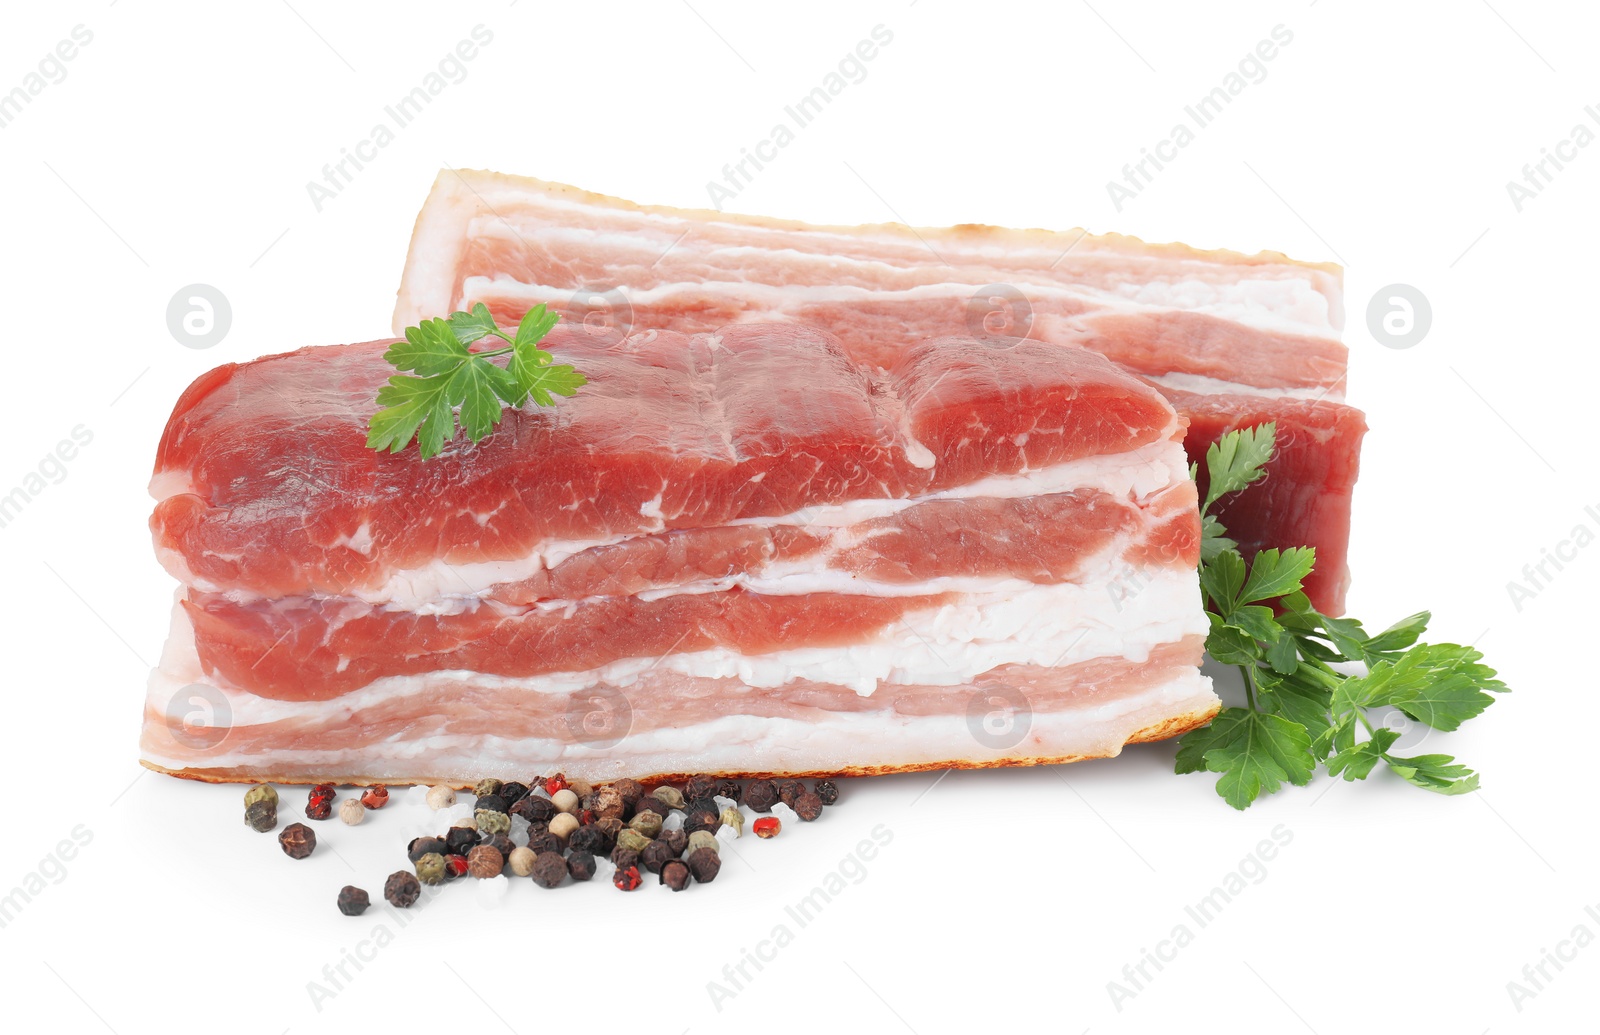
<point>826,743</point>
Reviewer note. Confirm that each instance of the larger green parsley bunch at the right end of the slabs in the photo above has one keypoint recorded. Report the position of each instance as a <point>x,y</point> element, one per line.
<point>1300,709</point>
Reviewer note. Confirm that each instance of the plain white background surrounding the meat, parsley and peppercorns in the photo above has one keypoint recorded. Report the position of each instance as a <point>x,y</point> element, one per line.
<point>178,150</point>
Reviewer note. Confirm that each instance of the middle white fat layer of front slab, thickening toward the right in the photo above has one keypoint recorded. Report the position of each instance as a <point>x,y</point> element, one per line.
<point>1114,613</point>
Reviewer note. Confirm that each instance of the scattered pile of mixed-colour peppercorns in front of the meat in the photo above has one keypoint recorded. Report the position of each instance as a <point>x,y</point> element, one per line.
<point>673,833</point>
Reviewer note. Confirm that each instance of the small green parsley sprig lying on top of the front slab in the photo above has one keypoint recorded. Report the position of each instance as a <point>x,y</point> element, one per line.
<point>452,378</point>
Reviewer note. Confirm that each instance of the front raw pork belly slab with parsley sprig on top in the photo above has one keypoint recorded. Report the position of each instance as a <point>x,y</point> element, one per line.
<point>742,553</point>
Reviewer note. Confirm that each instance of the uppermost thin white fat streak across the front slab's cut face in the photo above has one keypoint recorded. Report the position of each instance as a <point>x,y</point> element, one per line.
<point>444,588</point>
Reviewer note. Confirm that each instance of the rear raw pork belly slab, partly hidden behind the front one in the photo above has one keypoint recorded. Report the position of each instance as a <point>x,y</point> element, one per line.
<point>1231,340</point>
